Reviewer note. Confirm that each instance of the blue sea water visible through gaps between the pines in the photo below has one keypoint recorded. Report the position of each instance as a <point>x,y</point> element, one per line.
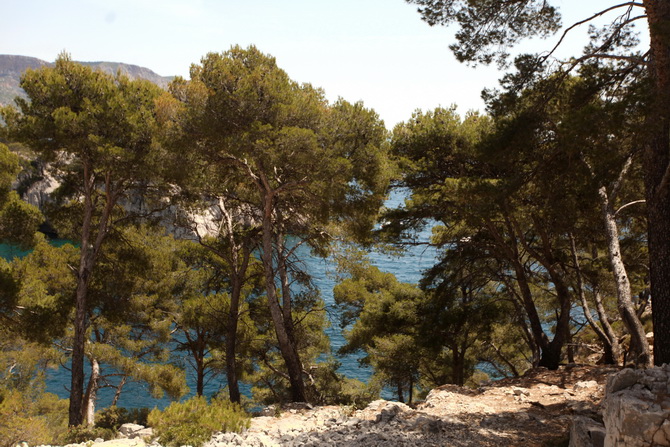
<point>407,267</point>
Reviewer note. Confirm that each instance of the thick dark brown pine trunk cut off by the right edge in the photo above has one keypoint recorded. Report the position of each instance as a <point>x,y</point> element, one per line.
<point>657,176</point>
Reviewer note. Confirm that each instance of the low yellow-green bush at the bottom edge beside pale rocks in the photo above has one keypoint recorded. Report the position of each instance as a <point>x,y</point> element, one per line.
<point>194,421</point>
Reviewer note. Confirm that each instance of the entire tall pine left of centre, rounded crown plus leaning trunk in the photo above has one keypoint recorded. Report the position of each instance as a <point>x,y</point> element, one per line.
<point>302,171</point>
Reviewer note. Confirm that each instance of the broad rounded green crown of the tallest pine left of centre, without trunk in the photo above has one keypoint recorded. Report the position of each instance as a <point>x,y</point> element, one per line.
<point>328,163</point>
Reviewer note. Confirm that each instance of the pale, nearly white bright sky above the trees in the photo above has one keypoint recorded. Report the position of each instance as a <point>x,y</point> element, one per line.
<point>376,51</point>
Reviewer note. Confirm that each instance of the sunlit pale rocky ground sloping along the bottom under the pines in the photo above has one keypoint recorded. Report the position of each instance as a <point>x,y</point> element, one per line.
<point>534,410</point>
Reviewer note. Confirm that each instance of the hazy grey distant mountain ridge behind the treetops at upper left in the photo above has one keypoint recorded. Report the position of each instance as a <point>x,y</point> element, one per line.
<point>11,68</point>
